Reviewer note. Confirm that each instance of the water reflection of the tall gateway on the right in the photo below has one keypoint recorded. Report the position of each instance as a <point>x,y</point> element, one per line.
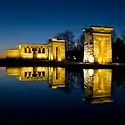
<point>97,84</point>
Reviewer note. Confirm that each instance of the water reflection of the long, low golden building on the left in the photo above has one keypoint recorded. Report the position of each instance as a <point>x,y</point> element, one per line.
<point>55,76</point>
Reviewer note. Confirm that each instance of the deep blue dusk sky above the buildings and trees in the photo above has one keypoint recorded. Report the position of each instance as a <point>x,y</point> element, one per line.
<point>35,21</point>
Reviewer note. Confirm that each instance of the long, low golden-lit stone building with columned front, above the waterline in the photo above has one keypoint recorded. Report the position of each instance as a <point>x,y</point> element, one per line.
<point>54,50</point>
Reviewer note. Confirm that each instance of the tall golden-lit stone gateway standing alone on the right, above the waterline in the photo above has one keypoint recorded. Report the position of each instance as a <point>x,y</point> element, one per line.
<point>98,45</point>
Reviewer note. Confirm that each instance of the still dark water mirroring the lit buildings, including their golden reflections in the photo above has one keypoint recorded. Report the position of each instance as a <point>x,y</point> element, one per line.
<point>36,94</point>
